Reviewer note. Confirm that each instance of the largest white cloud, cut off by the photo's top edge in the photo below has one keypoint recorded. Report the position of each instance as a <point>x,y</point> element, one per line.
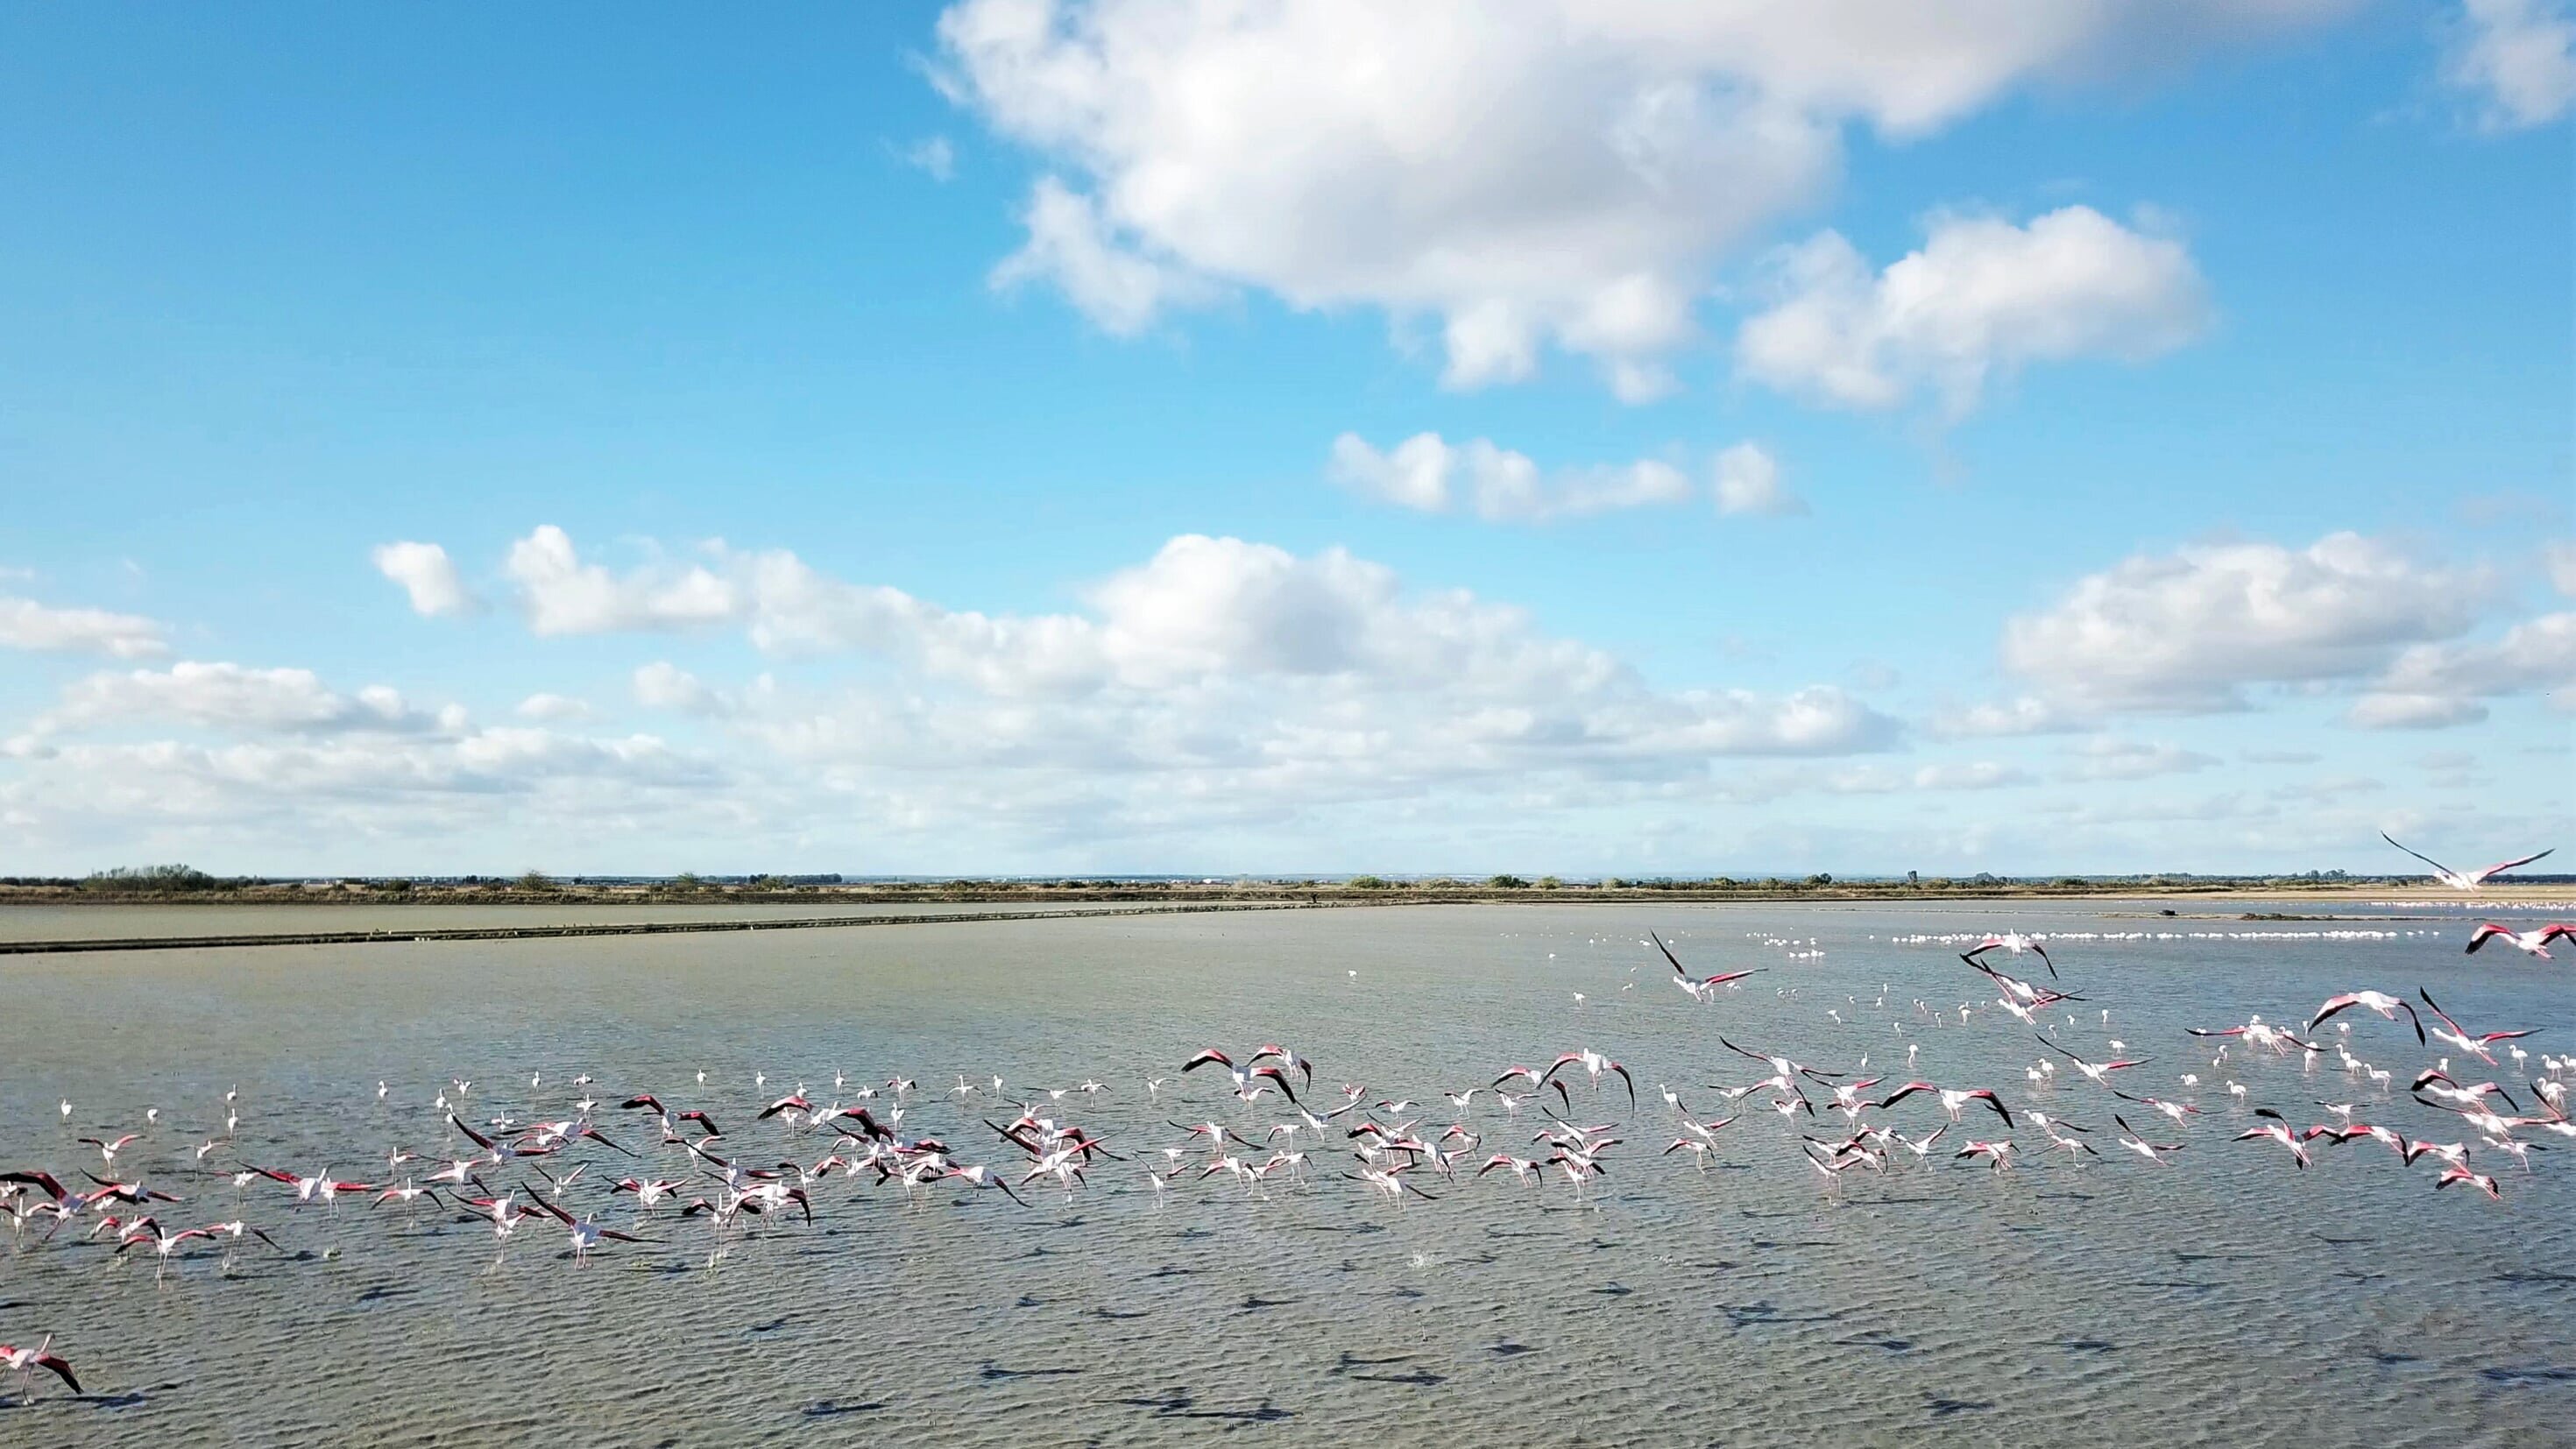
<point>1524,171</point>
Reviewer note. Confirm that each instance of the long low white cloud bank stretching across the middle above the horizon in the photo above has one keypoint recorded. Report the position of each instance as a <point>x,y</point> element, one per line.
<point>1212,681</point>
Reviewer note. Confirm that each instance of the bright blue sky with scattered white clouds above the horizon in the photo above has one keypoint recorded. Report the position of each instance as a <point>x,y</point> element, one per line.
<point>978,439</point>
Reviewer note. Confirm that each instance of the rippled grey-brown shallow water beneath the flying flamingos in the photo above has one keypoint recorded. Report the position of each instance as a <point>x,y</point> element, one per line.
<point>2072,1301</point>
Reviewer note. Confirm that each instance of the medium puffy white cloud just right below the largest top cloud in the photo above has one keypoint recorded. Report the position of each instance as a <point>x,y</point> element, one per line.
<point>1977,302</point>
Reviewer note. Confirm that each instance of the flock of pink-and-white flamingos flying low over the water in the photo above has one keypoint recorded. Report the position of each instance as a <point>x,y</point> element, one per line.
<point>663,1170</point>
